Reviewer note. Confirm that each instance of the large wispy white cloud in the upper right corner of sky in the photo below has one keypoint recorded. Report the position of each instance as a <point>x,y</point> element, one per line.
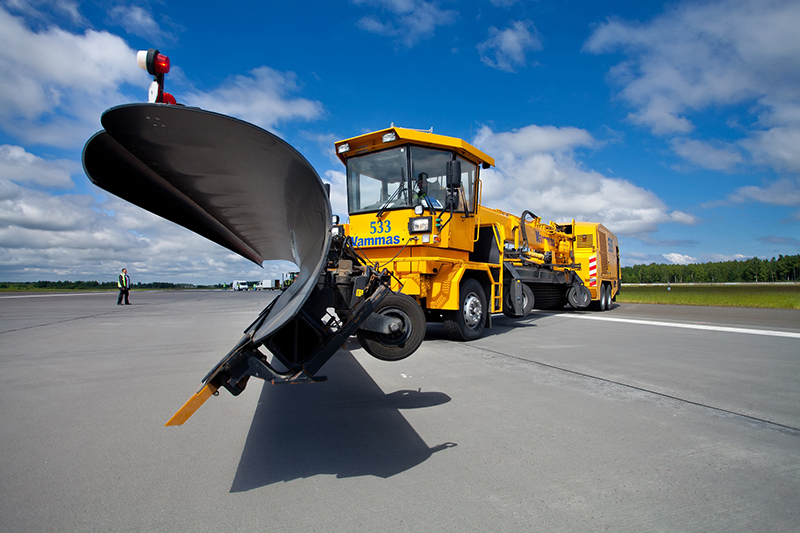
<point>717,55</point>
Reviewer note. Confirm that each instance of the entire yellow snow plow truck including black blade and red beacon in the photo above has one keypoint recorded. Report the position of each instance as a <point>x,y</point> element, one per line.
<point>419,246</point>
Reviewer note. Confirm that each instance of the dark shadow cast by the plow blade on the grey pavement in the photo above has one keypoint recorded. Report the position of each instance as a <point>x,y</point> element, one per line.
<point>346,427</point>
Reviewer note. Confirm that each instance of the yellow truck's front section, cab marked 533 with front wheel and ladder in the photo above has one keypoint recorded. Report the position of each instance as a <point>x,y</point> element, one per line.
<point>413,200</point>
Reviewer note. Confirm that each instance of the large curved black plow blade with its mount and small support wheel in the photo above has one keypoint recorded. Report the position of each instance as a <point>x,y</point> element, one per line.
<point>249,191</point>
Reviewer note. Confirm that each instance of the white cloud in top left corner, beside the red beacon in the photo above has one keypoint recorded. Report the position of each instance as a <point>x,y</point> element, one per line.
<point>55,84</point>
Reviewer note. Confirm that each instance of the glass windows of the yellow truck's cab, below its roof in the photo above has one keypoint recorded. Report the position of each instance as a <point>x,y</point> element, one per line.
<point>405,177</point>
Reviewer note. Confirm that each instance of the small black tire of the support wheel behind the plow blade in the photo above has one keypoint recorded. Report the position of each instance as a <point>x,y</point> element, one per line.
<point>396,346</point>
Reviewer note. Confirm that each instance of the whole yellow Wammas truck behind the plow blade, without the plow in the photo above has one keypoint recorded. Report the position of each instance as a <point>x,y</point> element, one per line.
<point>414,200</point>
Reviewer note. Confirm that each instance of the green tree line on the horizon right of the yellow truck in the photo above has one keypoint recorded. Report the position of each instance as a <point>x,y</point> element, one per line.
<point>784,268</point>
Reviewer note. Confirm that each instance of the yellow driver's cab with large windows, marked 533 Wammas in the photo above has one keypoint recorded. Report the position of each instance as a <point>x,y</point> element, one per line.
<point>411,188</point>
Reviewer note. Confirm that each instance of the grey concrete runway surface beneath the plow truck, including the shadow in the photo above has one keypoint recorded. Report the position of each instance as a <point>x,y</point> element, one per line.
<point>643,418</point>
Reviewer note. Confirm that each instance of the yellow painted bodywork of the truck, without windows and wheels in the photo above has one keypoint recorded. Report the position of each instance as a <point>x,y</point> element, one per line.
<point>430,266</point>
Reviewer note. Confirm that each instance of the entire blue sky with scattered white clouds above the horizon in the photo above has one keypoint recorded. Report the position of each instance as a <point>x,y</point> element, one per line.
<point>676,124</point>
